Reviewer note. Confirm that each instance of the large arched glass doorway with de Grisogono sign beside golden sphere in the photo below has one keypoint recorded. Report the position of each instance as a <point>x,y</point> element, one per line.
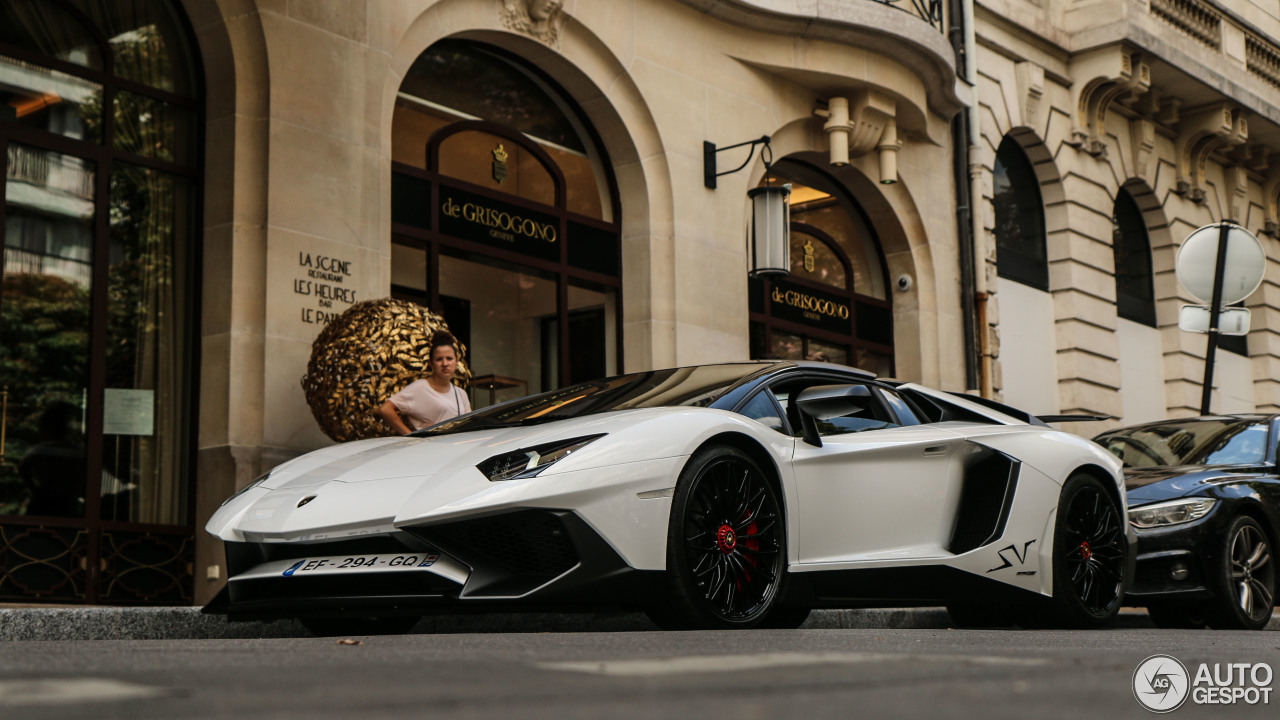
<point>505,220</point>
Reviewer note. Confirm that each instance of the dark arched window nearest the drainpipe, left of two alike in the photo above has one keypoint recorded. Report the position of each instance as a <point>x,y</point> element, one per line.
<point>1020,218</point>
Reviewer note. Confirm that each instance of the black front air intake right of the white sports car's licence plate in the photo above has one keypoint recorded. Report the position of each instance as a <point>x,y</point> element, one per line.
<point>529,544</point>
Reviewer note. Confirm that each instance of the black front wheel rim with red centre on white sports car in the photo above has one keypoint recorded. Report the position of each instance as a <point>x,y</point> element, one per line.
<point>733,540</point>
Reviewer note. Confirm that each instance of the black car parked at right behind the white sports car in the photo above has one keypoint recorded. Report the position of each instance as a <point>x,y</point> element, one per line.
<point>1205,502</point>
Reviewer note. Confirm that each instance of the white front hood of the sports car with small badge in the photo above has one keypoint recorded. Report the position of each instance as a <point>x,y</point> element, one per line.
<point>373,486</point>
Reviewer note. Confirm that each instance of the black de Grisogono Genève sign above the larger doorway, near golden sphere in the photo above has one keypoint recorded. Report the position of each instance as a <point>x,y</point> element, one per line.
<point>482,220</point>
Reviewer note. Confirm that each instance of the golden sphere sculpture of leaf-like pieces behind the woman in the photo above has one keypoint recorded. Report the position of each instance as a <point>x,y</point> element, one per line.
<point>364,357</point>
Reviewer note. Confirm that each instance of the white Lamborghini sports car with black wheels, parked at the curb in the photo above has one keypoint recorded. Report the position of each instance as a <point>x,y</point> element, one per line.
<point>717,496</point>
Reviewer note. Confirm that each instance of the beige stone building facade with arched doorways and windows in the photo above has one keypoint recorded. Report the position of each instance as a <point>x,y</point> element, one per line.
<point>195,188</point>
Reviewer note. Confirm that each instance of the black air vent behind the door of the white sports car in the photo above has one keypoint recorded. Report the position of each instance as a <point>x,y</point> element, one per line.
<point>986,496</point>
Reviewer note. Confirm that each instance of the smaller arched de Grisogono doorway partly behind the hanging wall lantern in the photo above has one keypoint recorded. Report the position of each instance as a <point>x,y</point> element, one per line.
<point>835,304</point>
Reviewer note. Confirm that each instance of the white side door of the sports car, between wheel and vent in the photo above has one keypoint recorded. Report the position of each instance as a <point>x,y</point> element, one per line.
<point>883,486</point>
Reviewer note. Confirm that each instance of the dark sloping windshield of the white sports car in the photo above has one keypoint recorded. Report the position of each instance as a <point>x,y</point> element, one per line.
<point>697,388</point>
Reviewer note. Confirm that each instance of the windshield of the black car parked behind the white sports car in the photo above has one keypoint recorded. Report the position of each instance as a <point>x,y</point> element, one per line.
<point>1195,443</point>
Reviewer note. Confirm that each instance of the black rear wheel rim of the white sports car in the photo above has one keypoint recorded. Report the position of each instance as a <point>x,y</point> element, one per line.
<point>1095,550</point>
